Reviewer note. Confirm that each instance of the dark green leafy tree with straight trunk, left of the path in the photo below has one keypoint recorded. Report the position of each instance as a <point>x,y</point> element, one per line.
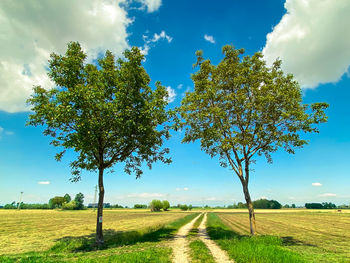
<point>106,112</point>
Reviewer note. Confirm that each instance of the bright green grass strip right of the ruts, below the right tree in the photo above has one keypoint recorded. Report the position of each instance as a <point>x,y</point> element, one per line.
<point>246,249</point>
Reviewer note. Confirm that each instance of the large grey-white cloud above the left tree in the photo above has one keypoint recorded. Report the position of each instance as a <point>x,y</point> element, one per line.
<point>31,30</point>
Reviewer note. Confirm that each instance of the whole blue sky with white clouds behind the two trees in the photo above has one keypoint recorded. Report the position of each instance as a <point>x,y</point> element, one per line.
<point>311,37</point>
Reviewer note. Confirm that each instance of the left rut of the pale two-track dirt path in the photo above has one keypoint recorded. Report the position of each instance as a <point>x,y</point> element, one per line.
<point>180,243</point>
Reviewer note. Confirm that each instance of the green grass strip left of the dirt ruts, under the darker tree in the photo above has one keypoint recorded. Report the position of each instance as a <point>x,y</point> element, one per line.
<point>129,246</point>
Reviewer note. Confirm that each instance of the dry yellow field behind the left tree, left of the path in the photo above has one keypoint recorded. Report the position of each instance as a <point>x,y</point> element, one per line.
<point>37,230</point>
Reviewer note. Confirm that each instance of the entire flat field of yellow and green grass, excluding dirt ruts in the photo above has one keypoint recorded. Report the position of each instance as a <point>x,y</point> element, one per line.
<point>142,236</point>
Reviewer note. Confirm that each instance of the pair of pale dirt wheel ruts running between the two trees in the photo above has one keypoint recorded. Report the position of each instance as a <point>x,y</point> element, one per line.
<point>180,243</point>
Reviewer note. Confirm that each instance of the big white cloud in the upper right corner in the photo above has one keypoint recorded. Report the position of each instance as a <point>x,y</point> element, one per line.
<point>312,40</point>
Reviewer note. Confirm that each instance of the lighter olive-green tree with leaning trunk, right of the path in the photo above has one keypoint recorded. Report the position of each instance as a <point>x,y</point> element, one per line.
<point>242,108</point>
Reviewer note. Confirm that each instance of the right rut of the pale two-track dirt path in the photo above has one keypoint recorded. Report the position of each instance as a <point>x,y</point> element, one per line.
<point>219,255</point>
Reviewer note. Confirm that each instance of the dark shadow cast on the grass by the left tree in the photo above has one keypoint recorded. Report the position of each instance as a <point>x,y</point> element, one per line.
<point>112,239</point>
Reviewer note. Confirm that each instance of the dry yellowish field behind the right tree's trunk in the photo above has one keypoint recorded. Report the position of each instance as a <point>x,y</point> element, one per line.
<point>319,236</point>
